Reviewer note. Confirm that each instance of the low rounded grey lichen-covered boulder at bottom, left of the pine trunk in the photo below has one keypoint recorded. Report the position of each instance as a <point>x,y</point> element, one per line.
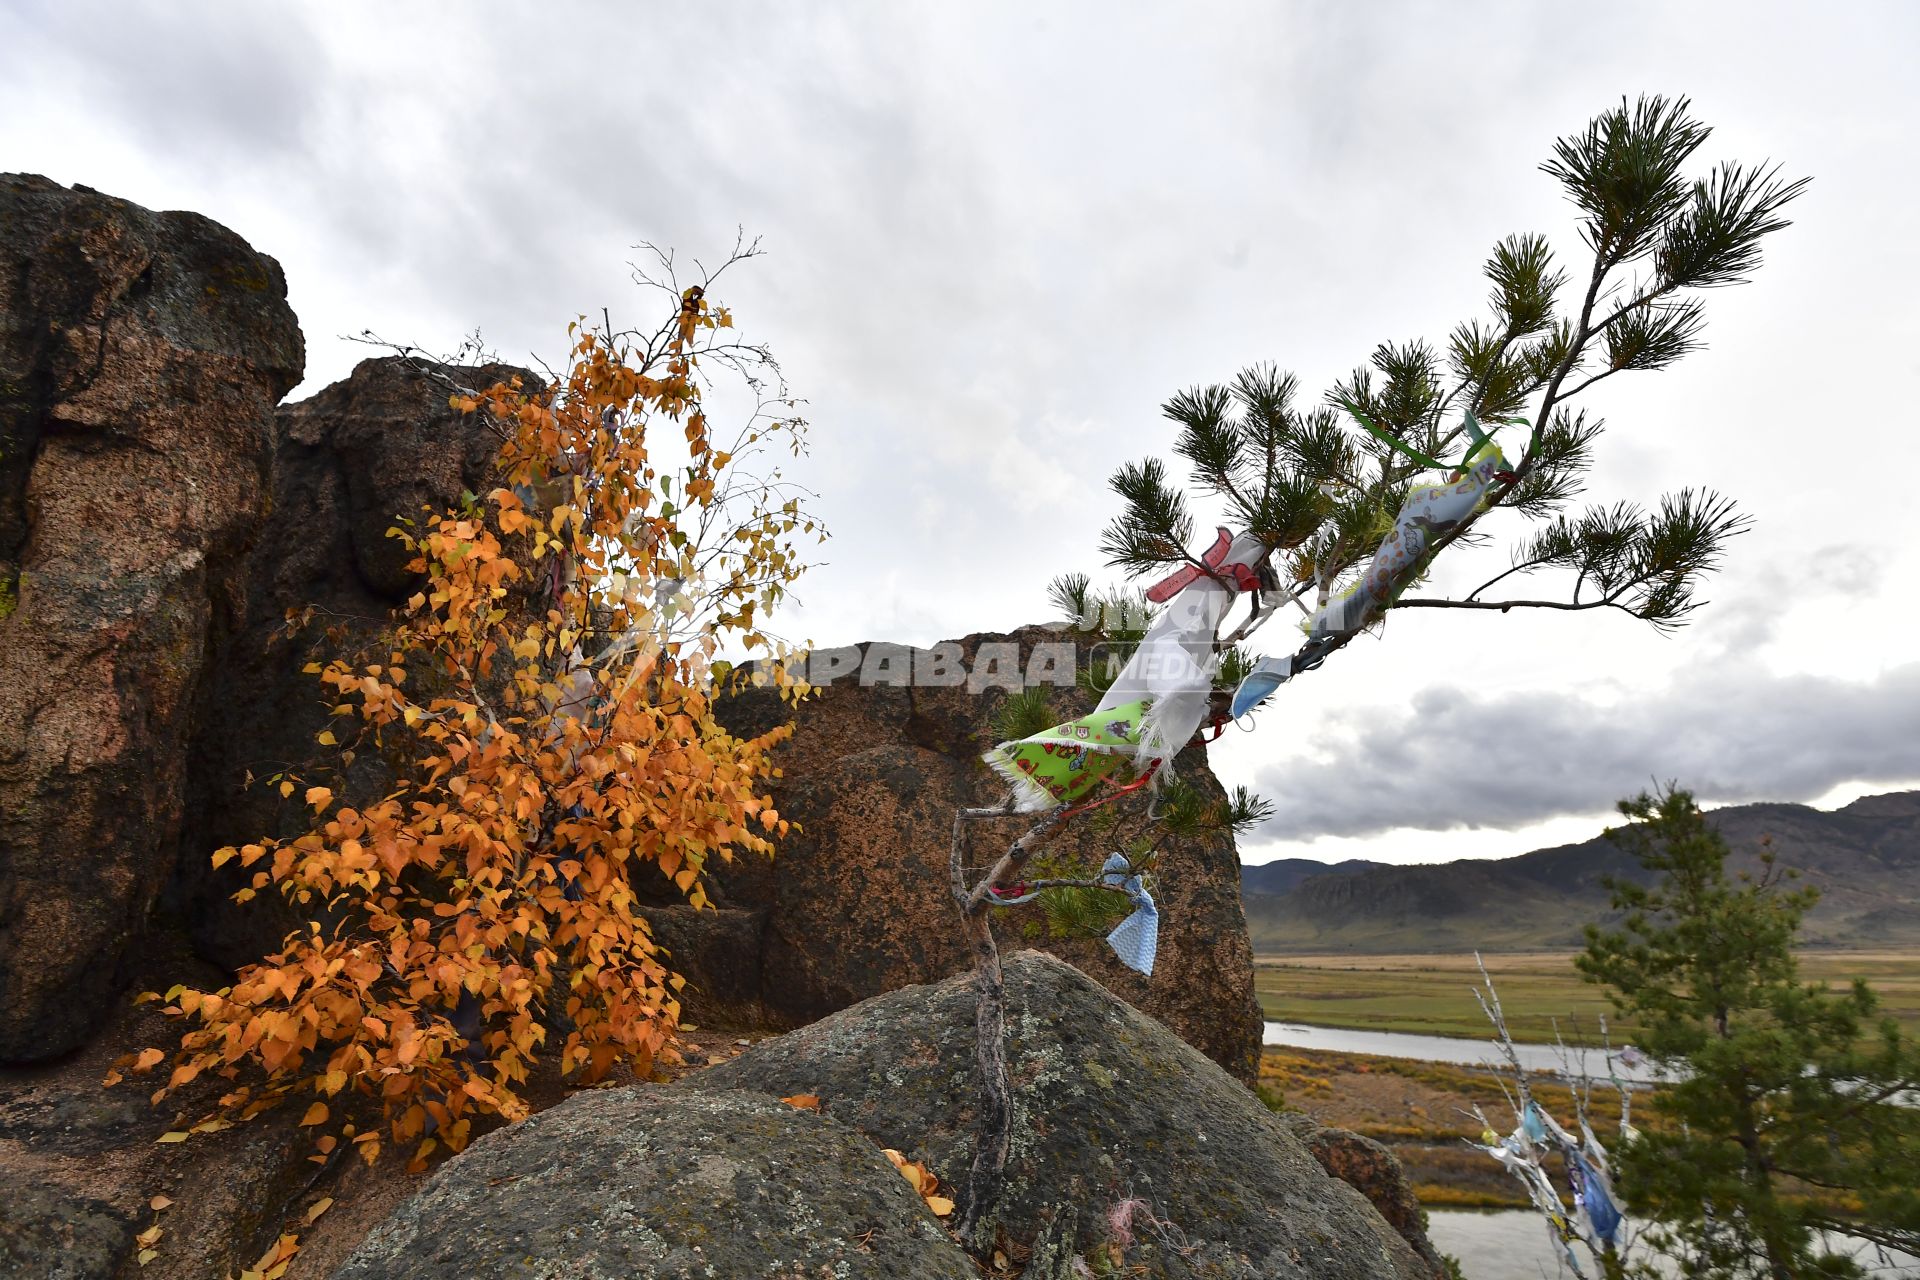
<point>658,1183</point>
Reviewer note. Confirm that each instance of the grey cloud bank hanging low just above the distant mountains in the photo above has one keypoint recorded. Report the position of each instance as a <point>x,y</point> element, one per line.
<point>1729,732</point>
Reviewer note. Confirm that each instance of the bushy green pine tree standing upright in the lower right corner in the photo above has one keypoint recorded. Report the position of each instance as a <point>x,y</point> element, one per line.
<point>1788,1108</point>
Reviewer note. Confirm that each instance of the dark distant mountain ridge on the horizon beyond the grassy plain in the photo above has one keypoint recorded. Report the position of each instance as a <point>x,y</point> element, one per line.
<point>1863,859</point>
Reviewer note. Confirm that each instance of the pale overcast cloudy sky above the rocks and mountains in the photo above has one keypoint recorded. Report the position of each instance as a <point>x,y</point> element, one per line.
<point>999,237</point>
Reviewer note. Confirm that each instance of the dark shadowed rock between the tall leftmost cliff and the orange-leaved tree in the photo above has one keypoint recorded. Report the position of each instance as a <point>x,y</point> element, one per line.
<point>348,465</point>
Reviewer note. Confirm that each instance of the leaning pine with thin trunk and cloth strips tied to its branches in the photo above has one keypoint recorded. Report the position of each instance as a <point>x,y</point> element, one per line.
<point>1326,488</point>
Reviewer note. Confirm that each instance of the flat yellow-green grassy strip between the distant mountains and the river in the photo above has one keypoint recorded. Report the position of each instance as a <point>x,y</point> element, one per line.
<point>1431,995</point>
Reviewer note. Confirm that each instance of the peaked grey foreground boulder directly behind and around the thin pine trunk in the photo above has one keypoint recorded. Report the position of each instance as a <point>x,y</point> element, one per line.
<point>1122,1133</point>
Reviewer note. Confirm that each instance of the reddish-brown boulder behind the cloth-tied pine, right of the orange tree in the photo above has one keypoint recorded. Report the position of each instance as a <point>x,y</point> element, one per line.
<point>857,899</point>
